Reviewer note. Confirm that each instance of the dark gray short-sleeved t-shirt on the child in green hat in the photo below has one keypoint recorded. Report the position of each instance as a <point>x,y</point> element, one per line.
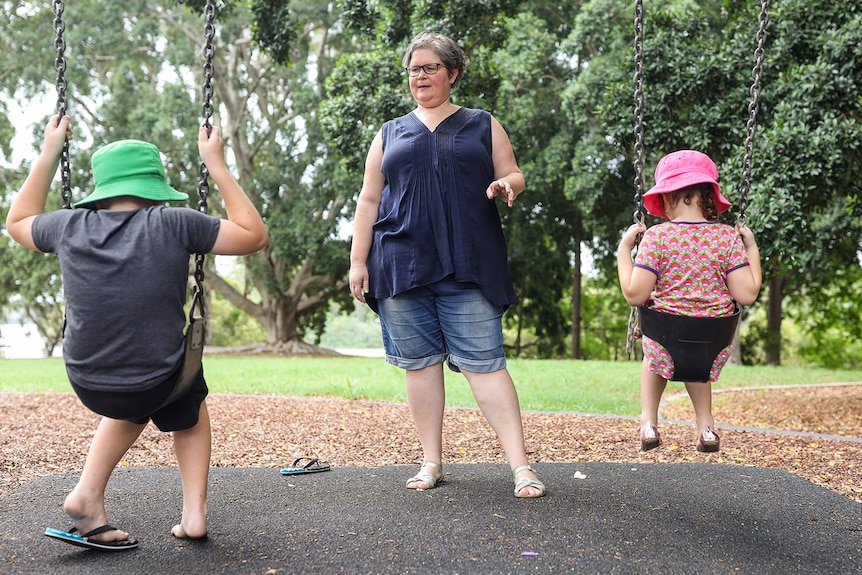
<point>125,277</point>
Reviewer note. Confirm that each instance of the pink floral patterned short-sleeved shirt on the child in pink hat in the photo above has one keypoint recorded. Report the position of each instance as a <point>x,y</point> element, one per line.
<point>691,261</point>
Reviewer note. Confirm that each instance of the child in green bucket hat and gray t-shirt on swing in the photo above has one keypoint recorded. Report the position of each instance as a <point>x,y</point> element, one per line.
<point>125,259</point>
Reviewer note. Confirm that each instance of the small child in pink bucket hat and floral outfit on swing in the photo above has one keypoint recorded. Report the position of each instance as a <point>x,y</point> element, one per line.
<point>689,265</point>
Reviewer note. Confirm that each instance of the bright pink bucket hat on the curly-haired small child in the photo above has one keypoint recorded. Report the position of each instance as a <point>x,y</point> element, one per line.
<point>679,170</point>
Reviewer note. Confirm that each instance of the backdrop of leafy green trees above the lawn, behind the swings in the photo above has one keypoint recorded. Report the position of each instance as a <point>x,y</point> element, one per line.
<point>300,88</point>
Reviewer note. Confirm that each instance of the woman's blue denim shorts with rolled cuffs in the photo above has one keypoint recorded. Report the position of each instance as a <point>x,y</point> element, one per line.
<point>446,320</point>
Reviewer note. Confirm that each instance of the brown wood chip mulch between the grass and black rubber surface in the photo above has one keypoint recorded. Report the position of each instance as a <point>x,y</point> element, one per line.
<point>45,434</point>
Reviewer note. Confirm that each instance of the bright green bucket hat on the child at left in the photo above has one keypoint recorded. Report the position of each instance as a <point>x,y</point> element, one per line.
<point>129,168</point>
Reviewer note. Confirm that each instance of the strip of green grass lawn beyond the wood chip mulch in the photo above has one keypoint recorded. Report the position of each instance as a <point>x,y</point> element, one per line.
<point>605,387</point>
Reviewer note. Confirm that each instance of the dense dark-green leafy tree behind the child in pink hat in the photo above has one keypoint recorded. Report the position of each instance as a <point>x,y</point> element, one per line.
<point>805,207</point>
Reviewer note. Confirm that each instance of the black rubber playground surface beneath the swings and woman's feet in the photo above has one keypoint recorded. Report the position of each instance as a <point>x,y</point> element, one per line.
<point>616,519</point>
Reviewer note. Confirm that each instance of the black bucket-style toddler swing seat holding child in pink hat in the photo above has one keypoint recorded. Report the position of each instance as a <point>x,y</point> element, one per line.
<point>692,342</point>
